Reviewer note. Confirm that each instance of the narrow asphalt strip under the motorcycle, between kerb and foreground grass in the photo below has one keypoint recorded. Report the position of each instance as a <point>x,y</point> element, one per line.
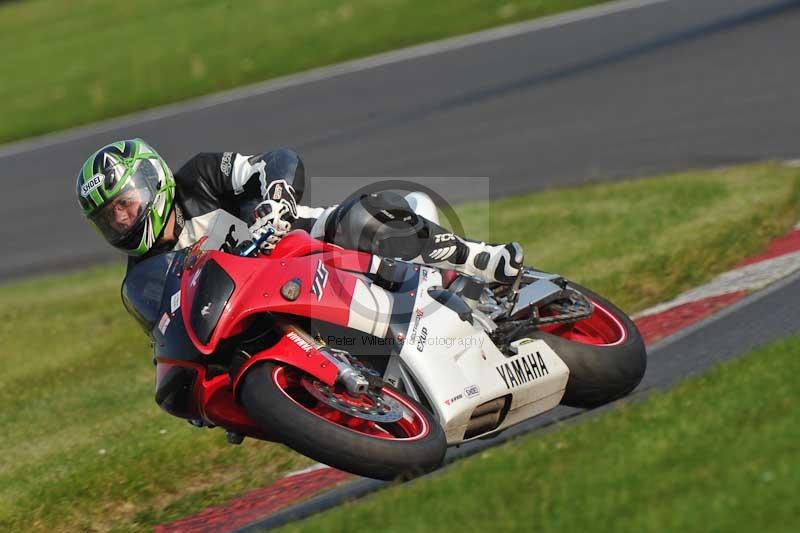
<point>745,326</point>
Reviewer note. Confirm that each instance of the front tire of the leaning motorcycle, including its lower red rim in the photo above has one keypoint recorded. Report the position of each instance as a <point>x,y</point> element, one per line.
<point>284,414</point>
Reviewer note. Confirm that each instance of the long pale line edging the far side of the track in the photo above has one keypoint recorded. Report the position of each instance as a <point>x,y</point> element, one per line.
<point>325,73</point>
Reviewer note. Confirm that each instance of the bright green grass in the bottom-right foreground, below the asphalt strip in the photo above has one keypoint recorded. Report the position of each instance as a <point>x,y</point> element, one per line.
<point>718,453</point>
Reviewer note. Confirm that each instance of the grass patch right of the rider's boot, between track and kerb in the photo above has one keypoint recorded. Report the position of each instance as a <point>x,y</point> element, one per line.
<point>645,241</point>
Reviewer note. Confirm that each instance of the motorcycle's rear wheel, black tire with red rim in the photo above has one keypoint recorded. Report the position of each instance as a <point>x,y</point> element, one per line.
<point>605,353</point>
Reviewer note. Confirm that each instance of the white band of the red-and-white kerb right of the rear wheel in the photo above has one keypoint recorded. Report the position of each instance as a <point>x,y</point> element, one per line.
<point>750,278</point>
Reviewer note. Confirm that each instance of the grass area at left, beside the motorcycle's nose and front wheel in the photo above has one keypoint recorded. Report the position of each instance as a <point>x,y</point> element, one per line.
<point>84,446</point>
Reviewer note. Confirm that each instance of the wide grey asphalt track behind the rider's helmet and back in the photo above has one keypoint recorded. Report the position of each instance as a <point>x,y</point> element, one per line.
<point>665,86</point>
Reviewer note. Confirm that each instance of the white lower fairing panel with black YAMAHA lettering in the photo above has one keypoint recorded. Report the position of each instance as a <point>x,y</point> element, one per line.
<point>459,367</point>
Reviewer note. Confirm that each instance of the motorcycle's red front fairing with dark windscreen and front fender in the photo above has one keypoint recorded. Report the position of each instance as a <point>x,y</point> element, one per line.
<point>192,300</point>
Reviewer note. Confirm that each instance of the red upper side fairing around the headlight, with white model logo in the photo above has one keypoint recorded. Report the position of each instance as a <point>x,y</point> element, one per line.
<point>326,285</point>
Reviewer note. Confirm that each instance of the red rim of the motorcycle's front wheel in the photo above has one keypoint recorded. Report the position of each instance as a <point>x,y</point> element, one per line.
<point>411,426</point>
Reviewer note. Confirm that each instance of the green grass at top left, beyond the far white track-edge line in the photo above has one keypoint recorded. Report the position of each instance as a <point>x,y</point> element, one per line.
<point>82,61</point>
